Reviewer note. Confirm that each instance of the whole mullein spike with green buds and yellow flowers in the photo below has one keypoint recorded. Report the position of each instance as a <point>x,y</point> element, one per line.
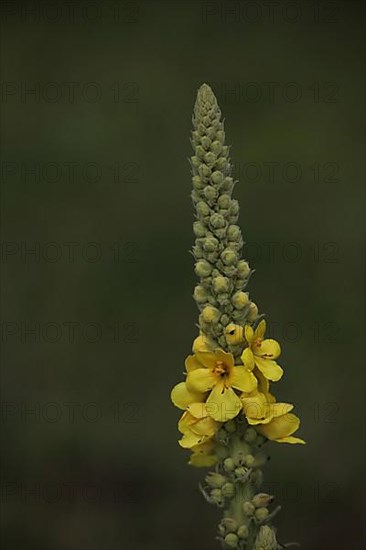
<point>229,411</point>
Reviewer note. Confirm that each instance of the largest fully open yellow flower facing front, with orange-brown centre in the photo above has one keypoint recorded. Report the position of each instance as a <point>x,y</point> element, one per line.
<point>216,373</point>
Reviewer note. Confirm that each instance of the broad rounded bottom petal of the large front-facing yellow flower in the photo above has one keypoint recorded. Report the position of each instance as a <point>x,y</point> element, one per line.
<point>223,404</point>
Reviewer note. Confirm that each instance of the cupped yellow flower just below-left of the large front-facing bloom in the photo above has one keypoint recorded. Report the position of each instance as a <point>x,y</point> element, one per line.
<point>196,426</point>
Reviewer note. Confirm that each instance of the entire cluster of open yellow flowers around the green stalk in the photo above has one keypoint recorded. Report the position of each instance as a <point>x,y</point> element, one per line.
<point>218,389</point>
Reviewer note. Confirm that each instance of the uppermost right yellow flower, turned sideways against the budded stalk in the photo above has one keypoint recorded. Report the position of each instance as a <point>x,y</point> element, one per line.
<point>262,353</point>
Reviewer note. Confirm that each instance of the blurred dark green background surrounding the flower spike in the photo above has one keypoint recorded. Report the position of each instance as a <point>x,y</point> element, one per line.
<point>90,454</point>
